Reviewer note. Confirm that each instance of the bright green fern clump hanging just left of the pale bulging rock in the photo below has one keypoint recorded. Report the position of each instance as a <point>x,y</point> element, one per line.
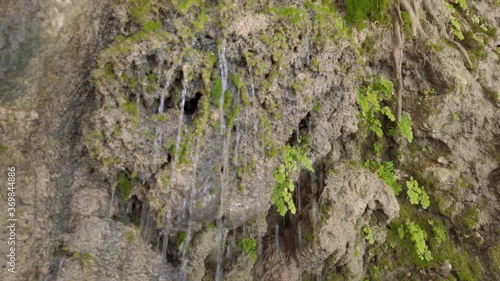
<point>283,190</point>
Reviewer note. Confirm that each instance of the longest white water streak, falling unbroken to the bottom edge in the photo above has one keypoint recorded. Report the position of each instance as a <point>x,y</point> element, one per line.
<point>220,224</point>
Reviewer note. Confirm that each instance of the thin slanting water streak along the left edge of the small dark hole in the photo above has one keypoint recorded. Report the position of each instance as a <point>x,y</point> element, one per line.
<point>173,178</point>
